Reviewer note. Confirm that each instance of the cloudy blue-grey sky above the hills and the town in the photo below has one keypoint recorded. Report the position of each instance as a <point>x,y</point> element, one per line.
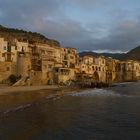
<point>88,25</point>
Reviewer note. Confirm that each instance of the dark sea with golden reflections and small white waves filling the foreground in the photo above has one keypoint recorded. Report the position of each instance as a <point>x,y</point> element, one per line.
<point>94,114</point>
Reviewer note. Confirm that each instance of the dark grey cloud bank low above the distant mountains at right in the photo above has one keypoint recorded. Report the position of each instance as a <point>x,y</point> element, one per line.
<point>121,38</point>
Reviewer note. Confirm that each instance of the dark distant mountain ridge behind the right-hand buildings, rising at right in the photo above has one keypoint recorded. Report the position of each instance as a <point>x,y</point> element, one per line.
<point>133,54</point>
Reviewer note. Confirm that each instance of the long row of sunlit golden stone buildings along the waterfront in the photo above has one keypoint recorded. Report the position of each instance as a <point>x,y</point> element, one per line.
<point>42,64</point>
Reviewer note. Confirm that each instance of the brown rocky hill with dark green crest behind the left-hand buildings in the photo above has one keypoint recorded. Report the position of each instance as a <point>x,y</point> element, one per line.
<point>11,33</point>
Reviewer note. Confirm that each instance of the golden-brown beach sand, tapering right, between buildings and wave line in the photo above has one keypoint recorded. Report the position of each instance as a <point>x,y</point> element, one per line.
<point>16,98</point>
